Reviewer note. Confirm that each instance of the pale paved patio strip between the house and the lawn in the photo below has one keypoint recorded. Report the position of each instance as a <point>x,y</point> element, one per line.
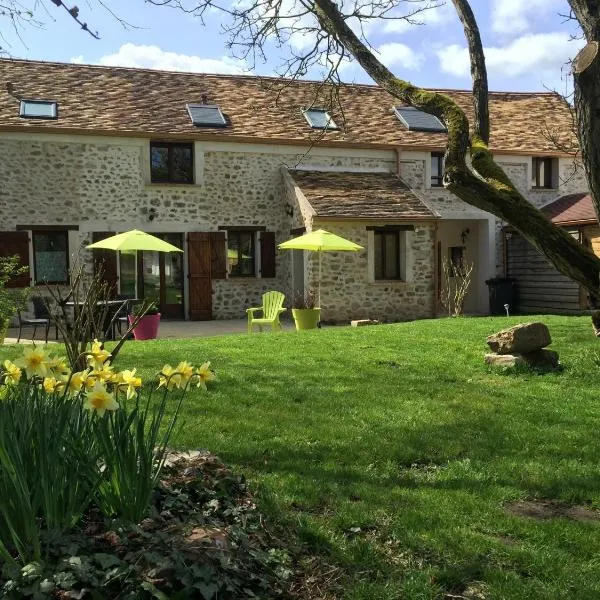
<point>167,330</point>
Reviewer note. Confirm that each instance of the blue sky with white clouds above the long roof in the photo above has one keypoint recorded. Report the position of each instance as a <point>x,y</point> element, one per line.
<point>526,43</point>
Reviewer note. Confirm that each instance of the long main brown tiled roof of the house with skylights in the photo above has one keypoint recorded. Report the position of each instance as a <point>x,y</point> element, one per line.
<point>153,103</point>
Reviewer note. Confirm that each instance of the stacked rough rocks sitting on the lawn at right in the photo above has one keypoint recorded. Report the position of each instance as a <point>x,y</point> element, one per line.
<point>523,344</point>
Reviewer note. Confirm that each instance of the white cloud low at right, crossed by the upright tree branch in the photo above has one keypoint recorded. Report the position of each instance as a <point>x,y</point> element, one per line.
<point>538,55</point>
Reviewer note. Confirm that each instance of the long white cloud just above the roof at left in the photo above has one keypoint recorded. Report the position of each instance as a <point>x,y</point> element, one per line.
<point>153,57</point>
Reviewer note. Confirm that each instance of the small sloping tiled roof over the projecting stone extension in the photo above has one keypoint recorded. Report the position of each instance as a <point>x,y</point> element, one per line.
<point>335,194</point>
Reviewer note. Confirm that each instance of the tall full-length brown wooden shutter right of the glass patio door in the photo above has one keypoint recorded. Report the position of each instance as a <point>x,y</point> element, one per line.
<point>199,272</point>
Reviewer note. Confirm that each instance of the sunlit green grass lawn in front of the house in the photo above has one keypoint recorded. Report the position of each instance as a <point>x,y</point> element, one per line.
<point>390,451</point>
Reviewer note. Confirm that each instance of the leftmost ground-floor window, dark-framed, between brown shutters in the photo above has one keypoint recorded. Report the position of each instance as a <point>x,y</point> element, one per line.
<point>51,256</point>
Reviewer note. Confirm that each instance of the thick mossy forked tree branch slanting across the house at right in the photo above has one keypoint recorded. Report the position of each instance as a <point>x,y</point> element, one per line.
<point>487,186</point>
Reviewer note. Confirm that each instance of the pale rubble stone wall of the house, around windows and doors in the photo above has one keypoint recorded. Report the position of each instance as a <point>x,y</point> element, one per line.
<point>104,186</point>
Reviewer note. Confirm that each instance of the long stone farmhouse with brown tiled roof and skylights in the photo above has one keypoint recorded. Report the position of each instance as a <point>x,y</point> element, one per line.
<point>227,167</point>
